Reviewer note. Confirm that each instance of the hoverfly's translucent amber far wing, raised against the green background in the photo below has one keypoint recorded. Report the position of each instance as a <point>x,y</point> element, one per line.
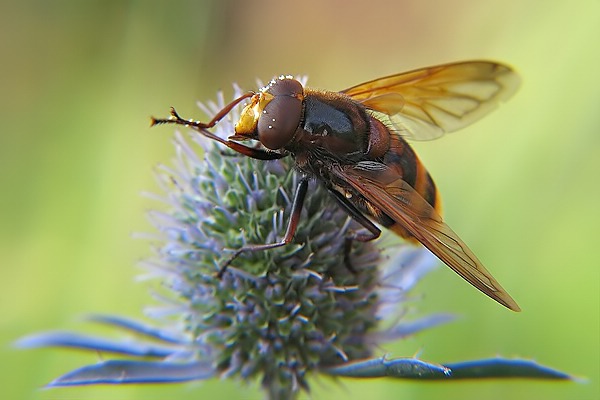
<point>426,103</point>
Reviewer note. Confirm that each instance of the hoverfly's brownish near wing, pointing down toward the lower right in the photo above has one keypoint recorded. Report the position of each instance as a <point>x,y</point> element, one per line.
<point>405,206</point>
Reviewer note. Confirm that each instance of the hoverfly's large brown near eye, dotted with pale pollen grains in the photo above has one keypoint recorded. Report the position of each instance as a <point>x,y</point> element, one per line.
<point>279,120</point>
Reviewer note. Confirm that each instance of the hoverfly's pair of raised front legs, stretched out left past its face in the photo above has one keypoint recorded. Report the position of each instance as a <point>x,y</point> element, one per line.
<point>201,127</point>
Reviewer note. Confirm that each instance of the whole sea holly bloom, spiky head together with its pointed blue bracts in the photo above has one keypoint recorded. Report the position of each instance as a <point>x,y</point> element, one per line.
<point>279,315</point>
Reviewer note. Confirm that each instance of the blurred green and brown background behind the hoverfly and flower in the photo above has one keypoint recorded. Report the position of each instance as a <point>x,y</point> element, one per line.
<point>80,79</point>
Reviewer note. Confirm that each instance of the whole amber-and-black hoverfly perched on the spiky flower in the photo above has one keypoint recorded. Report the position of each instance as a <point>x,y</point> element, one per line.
<point>353,142</point>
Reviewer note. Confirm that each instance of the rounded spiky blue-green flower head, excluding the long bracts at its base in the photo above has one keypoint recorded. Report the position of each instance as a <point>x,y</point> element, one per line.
<point>280,313</point>
